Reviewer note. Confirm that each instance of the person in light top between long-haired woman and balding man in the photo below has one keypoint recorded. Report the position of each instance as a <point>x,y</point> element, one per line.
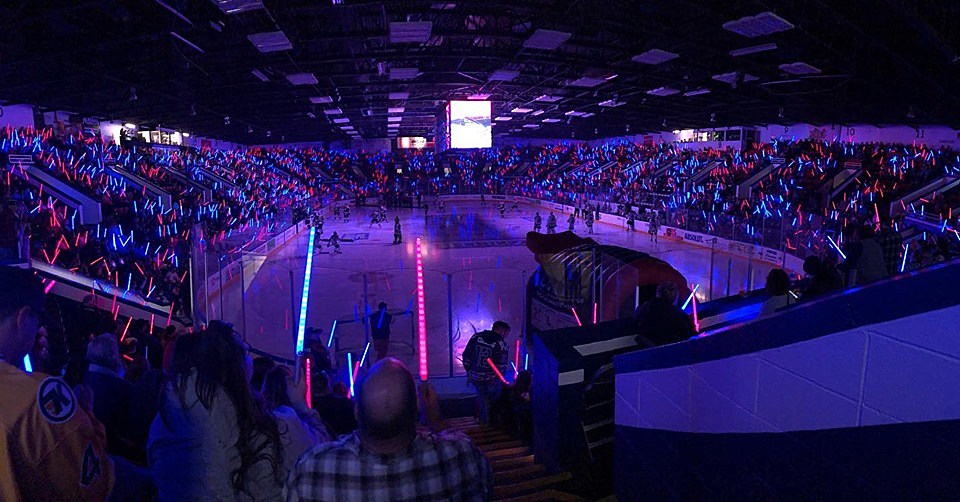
<point>300,427</point>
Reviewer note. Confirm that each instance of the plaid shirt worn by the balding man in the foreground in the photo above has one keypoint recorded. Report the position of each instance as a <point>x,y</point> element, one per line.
<point>438,466</point>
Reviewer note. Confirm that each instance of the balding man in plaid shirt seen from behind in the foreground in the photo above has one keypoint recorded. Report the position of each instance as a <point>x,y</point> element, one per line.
<point>386,459</point>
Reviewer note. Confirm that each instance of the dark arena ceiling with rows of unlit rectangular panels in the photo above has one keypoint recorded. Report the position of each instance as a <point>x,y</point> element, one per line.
<point>190,63</point>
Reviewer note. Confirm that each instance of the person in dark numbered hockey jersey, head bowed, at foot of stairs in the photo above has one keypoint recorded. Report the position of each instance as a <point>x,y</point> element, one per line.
<point>485,345</point>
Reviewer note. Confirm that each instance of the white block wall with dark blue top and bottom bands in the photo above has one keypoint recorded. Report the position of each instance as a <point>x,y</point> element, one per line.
<point>852,395</point>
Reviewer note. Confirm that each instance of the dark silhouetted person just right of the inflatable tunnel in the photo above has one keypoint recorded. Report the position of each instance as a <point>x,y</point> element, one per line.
<point>660,321</point>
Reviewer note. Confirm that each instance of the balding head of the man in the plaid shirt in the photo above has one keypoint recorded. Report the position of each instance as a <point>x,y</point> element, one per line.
<point>387,401</point>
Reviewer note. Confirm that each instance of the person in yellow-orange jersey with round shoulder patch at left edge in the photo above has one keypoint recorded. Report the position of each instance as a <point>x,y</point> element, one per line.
<point>51,445</point>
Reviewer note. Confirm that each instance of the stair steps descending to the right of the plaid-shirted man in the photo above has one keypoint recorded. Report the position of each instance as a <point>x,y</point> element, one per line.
<point>516,475</point>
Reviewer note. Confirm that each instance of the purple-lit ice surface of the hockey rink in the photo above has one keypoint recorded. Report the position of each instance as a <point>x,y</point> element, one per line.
<point>475,267</point>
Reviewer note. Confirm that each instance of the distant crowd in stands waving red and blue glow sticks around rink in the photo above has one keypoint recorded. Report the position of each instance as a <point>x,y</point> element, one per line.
<point>800,199</point>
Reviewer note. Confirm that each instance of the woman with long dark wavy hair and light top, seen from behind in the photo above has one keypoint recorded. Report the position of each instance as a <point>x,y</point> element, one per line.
<point>213,439</point>
